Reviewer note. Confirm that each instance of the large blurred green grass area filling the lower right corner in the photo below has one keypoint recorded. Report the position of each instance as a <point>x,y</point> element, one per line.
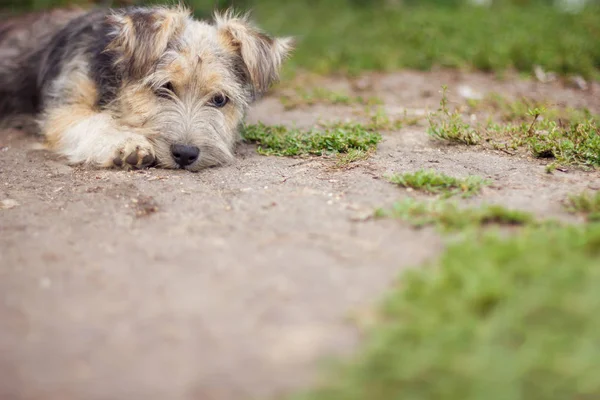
<point>494,318</point>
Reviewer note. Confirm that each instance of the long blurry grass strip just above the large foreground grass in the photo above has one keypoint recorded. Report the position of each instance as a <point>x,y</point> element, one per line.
<point>450,217</point>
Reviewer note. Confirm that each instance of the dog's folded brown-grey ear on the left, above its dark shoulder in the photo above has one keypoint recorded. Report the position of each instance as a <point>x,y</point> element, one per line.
<point>139,37</point>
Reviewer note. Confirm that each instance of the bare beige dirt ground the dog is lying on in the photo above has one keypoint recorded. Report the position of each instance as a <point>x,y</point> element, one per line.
<point>235,282</point>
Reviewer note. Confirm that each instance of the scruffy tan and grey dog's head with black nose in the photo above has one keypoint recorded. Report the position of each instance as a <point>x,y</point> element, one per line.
<point>187,84</point>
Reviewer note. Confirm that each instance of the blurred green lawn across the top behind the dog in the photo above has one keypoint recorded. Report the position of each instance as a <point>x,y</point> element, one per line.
<point>351,36</point>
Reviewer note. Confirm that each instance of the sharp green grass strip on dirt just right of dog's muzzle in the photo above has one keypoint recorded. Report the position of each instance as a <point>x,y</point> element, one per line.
<point>283,141</point>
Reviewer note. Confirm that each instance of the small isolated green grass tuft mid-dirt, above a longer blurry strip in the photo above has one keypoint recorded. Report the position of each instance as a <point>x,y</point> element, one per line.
<point>434,182</point>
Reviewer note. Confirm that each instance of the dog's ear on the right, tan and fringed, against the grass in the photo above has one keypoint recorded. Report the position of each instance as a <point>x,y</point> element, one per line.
<point>261,54</point>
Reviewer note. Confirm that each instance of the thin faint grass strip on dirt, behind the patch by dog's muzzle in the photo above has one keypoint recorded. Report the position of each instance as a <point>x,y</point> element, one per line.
<point>308,97</point>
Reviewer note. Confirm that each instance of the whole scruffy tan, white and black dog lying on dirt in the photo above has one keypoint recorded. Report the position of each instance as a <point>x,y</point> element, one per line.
<point>136,87</point>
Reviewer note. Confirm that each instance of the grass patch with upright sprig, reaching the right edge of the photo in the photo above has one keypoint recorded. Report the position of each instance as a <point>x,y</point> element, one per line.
<point>570,137</point>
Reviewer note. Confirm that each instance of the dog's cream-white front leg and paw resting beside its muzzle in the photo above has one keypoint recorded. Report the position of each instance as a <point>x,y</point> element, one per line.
<point>86,136</point>
